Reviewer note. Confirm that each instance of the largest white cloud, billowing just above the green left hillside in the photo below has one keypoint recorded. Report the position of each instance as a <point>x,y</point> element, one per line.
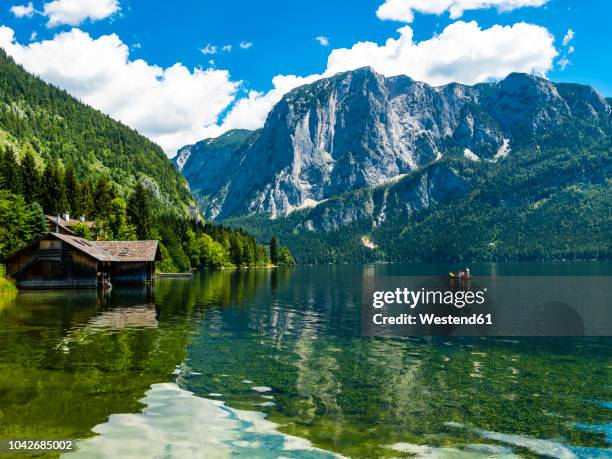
<point>173,106</point>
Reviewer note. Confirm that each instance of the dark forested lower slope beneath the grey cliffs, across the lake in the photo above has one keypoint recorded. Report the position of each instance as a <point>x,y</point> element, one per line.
<point>536,205</point>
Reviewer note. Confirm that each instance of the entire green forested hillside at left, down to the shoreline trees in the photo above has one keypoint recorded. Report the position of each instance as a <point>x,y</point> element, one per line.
<point>59,155</point>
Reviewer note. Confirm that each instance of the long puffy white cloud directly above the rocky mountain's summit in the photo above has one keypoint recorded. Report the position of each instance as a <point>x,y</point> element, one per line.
<point>463,52</point>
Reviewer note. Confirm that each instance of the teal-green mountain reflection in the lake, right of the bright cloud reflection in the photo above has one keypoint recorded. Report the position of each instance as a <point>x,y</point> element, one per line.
<point>357,396</point>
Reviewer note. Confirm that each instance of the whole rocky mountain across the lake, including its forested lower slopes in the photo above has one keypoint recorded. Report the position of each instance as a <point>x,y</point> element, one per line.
<point>359,167</point>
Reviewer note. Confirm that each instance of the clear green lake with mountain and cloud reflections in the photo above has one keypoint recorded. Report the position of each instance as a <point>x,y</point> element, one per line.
<point>271,363</point>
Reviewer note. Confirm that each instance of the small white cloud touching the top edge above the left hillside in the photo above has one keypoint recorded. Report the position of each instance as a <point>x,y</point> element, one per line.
<point>75,12</point>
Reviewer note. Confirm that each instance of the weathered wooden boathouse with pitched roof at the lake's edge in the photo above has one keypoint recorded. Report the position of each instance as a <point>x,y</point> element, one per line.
<point>64,261</point>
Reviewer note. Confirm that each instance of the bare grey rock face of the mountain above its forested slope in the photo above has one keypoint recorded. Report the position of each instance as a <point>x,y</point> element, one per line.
<point>360,129</point>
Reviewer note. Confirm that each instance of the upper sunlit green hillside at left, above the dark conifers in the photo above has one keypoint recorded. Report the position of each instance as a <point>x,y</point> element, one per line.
<point>54,126</point>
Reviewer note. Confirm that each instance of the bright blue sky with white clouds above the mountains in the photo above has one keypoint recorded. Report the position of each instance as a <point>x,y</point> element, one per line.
<point>179,72</point>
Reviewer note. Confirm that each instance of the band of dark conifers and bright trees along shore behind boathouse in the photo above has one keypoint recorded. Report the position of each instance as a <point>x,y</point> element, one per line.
<point>190,244</point>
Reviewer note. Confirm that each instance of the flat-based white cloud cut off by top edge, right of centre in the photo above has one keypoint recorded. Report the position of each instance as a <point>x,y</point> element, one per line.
<point>403,10</point>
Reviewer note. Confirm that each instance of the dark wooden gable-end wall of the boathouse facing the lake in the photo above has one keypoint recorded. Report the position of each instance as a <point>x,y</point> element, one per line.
<point>53,264</point>
